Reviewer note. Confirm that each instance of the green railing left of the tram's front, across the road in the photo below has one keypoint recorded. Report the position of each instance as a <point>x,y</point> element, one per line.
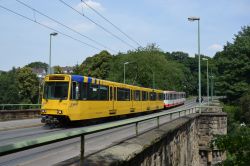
<point>19,106</point>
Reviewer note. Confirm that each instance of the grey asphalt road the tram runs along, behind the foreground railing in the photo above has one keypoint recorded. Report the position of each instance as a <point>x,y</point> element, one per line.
<point>60,151</point>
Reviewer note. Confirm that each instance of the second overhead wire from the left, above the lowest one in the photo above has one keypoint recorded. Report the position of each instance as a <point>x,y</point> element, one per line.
<point>35,10</point>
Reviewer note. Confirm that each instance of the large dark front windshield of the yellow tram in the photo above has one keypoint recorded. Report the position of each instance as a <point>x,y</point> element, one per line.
<point>56,90</point>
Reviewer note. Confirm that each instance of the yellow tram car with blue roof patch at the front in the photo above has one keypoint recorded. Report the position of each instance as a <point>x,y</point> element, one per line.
<point>74,97</point>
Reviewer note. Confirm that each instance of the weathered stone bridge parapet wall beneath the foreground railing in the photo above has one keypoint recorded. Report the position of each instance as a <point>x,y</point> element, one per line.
<point>181,142</point>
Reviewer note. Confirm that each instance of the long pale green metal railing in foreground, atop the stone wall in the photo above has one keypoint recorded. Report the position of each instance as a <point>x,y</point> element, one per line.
<point>81,132</point>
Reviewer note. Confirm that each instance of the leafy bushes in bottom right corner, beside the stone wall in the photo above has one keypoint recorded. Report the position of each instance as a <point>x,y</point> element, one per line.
<point>237,142</point>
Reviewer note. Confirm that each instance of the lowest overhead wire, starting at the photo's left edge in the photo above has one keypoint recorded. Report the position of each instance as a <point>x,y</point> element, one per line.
<point>48,27</point>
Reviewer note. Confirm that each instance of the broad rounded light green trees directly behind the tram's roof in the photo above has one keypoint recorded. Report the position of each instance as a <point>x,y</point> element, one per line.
<point>148,67</point>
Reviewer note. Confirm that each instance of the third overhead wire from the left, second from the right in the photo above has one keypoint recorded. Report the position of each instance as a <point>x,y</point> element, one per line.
<point>97,24</point>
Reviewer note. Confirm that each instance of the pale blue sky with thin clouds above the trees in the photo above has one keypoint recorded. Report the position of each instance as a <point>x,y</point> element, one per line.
<point>163,22</point>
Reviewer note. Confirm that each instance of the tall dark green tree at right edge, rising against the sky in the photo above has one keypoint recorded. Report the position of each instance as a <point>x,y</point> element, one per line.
<point>233,65</point>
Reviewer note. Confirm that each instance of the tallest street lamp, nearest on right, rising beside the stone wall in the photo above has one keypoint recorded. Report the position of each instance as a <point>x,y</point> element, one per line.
<point>198,19</point>
